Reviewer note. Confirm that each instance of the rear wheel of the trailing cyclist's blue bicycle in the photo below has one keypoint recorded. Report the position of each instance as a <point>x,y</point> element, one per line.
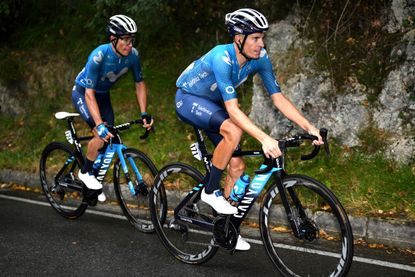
<point>59,166</point>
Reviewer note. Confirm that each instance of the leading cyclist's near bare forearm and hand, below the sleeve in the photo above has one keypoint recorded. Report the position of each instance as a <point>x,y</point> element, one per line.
<point>238,117</point>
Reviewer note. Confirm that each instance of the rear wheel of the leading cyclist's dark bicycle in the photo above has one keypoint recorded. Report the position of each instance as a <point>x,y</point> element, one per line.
<point>189,243</point>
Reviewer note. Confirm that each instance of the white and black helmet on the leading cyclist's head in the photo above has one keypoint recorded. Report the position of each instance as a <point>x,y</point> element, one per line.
<point>246,21</point>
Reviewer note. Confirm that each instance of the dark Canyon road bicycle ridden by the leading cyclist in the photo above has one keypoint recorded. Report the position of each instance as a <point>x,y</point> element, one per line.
<point>298,213</point>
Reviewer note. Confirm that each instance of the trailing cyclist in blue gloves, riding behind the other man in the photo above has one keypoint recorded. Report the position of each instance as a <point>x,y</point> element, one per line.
<point>90,94</point>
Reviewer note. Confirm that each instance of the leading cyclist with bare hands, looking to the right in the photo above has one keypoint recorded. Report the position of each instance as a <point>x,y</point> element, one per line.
<point>206,98</point>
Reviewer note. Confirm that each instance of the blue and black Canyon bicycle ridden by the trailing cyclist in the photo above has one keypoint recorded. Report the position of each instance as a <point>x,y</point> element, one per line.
<point>133,174</point>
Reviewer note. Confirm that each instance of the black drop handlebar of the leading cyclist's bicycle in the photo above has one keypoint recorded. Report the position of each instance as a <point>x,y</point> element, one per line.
<point>295,141</point>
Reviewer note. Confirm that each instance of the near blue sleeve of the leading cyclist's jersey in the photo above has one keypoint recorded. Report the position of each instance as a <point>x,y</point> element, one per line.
<point>222,68</point>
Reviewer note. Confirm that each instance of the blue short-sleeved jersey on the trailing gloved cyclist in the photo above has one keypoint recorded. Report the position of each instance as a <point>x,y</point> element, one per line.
<point>104,67</point>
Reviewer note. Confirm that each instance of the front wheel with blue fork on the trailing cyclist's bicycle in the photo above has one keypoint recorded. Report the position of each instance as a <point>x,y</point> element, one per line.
<point>134,203</point>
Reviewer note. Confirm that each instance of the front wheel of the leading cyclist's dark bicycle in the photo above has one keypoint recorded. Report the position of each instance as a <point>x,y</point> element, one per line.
<point>325,244</point>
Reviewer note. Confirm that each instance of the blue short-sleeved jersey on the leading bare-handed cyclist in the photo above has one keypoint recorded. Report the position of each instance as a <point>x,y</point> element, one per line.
<point>216,74</point>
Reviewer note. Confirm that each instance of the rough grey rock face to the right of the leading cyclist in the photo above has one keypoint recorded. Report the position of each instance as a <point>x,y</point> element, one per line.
<point>345,114</point>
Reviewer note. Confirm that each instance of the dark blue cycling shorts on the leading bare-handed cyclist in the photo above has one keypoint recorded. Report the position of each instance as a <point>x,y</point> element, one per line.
<point>201,113</point>
